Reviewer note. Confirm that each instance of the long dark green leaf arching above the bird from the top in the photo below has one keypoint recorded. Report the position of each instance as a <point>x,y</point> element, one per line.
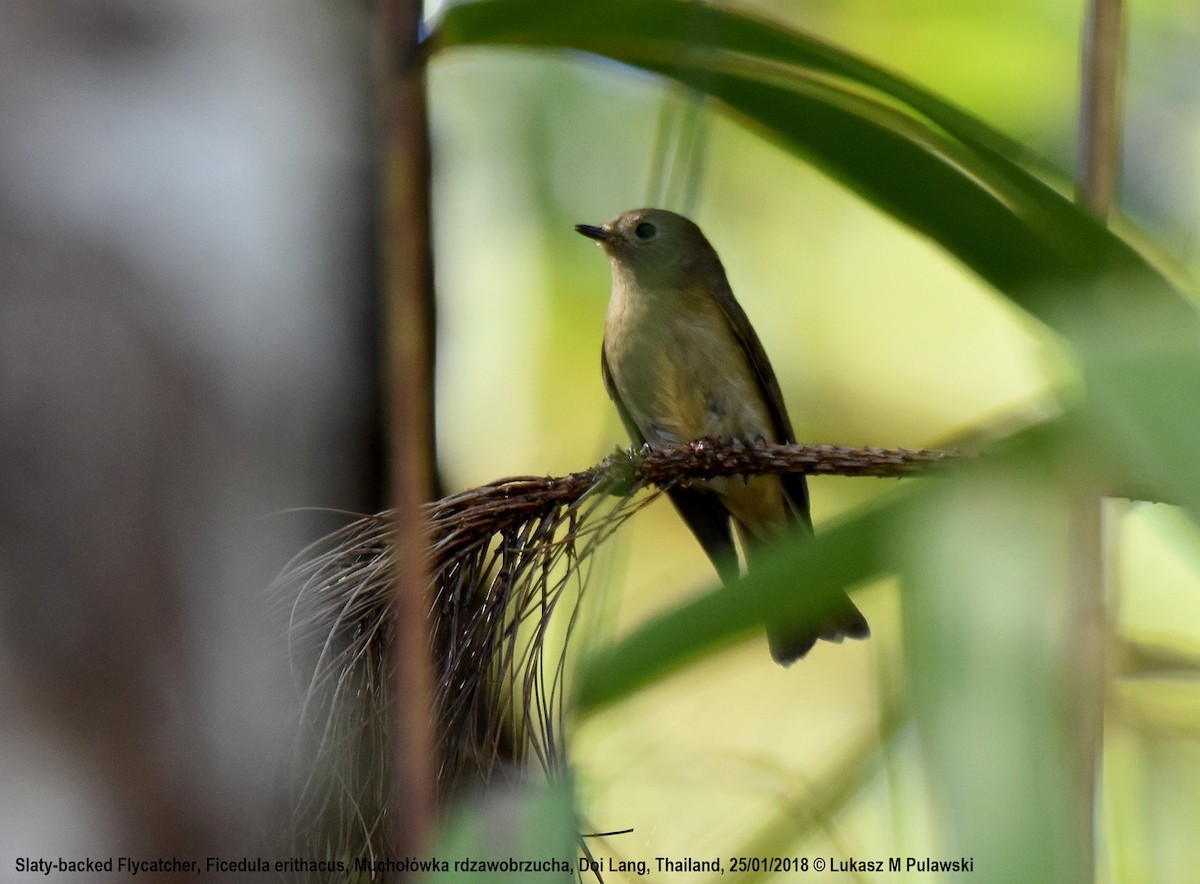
<point>901,147</point>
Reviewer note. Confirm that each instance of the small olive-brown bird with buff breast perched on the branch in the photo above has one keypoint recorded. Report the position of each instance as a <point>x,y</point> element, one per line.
<point>682,363</point>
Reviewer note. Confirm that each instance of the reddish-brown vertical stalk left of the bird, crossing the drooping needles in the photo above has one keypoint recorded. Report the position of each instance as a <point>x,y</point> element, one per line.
<point>407,269</point>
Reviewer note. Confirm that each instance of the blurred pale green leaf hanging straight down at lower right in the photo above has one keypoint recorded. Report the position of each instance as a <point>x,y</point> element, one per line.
<point>987,575</point>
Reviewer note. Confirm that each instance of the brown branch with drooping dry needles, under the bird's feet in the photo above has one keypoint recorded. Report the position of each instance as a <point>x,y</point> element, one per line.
<point>502,557</point>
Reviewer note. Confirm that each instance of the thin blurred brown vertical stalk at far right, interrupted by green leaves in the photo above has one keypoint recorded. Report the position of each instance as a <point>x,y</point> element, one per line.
<point>1100,159</point>
